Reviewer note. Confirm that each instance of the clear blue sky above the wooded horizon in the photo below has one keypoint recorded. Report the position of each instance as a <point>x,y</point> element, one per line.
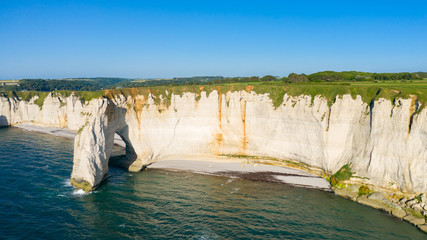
<point>56,39</point>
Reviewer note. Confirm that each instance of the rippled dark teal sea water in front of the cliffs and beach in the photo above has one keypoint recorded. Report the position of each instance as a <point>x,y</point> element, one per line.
<point>38,202</point>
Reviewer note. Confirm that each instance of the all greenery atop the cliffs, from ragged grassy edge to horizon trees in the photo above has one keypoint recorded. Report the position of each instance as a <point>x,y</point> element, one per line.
<point>328,85</point>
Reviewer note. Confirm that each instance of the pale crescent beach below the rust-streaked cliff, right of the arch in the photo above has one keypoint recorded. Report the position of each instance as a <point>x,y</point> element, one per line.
<point>258,172</point>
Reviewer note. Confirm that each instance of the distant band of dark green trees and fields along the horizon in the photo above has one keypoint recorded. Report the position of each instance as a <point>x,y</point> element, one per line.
<point>96,84</point>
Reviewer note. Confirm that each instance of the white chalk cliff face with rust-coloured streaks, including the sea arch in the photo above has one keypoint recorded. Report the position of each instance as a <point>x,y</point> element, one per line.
<point>383,141</point>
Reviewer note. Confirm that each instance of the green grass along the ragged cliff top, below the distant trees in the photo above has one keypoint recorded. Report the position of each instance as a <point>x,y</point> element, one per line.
<point>367,90</point>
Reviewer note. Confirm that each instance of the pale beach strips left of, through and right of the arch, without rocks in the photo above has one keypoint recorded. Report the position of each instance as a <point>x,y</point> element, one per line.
<point>211,165</point>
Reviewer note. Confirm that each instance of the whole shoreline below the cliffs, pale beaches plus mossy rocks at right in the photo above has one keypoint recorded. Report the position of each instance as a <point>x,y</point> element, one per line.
<point>275,172</point>
